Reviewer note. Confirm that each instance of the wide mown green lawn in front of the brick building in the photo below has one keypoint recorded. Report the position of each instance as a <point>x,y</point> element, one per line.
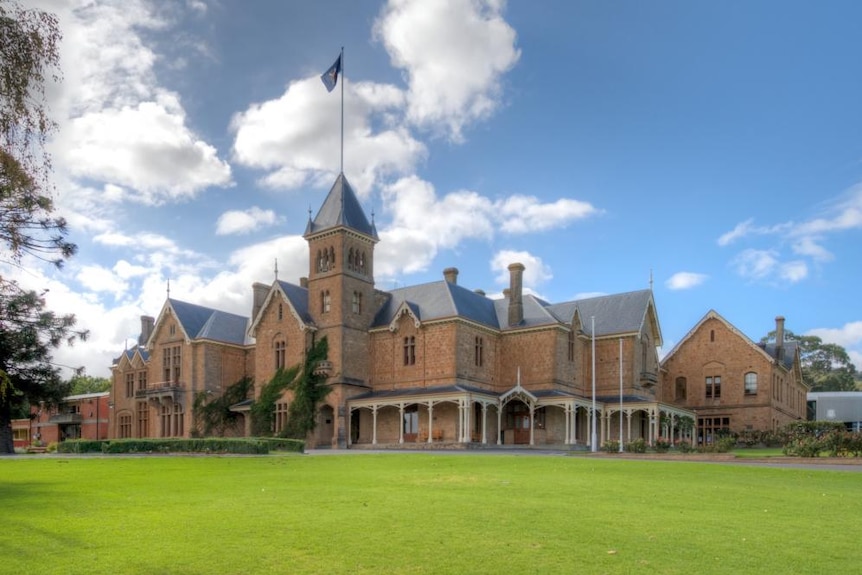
<point>422,513</point>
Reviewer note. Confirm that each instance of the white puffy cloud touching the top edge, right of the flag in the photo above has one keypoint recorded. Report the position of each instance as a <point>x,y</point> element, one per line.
<point>453,53</point>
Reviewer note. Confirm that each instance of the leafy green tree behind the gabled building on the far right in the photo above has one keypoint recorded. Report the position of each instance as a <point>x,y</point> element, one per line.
<point>825,366</point>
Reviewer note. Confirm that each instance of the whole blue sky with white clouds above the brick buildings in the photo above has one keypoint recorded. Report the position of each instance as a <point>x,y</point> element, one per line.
<point>714,146</point>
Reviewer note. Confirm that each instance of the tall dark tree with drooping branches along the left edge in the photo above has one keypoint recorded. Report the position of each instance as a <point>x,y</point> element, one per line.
<point>29,52</point>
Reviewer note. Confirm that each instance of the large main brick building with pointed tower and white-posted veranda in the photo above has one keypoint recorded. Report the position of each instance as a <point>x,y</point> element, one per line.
<point>435,362</point>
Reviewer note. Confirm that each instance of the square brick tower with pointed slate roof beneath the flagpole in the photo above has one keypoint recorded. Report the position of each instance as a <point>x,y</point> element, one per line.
<point>341,291</point>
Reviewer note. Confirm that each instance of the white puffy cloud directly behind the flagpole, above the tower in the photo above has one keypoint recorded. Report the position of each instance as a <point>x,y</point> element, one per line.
<point>296,137</point>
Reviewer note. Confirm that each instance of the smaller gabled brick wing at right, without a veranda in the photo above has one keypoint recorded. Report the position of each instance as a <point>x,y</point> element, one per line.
<point>733,383</point>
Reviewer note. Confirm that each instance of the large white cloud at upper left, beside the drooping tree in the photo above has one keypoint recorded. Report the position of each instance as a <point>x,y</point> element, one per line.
<point>118,125</point>
